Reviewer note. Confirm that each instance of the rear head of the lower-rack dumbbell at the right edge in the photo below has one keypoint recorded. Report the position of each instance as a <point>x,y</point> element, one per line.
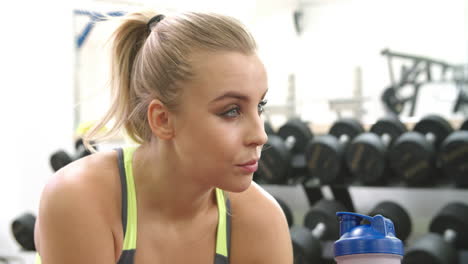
<point>452,216</point>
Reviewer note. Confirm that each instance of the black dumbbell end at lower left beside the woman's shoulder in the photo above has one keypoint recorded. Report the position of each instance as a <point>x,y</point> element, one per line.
<point>23,231</point>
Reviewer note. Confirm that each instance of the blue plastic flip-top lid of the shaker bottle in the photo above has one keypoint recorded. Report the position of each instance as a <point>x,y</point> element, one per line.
<point>376,237</point>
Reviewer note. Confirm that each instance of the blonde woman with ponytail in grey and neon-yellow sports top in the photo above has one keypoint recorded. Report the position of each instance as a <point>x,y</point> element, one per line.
<point>190,89</point>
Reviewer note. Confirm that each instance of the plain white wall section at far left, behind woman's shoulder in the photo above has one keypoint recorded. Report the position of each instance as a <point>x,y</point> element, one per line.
<point>36,102</point>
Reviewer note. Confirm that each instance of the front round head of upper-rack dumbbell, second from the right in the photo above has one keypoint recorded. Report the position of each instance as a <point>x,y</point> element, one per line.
<point>412,158</point>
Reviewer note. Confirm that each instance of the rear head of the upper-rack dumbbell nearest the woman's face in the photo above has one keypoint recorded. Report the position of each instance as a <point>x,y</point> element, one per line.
<point>299,130</point>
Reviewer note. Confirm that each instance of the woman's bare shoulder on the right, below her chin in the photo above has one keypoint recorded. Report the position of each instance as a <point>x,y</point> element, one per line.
<point>260,231</point>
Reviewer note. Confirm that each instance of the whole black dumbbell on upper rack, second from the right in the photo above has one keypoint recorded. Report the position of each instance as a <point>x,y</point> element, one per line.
<point>413,155</point>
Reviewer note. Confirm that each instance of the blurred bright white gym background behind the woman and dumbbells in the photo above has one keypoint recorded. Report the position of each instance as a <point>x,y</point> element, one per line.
<point>325,59</point>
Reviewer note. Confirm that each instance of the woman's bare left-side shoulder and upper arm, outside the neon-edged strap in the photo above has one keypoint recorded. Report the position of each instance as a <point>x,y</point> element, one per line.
<point>76,212</point>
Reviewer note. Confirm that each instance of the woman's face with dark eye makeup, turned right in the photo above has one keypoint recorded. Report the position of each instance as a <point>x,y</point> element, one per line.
<point>219,131</point>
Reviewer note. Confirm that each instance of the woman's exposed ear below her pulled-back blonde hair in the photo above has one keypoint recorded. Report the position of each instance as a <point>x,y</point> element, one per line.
<point>159,120</point>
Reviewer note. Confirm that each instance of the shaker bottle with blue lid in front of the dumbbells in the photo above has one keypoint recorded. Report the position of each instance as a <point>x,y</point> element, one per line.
<point>370,243</point>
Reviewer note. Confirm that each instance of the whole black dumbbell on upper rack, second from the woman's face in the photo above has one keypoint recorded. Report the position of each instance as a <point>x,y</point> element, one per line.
<point>325,154</point>
